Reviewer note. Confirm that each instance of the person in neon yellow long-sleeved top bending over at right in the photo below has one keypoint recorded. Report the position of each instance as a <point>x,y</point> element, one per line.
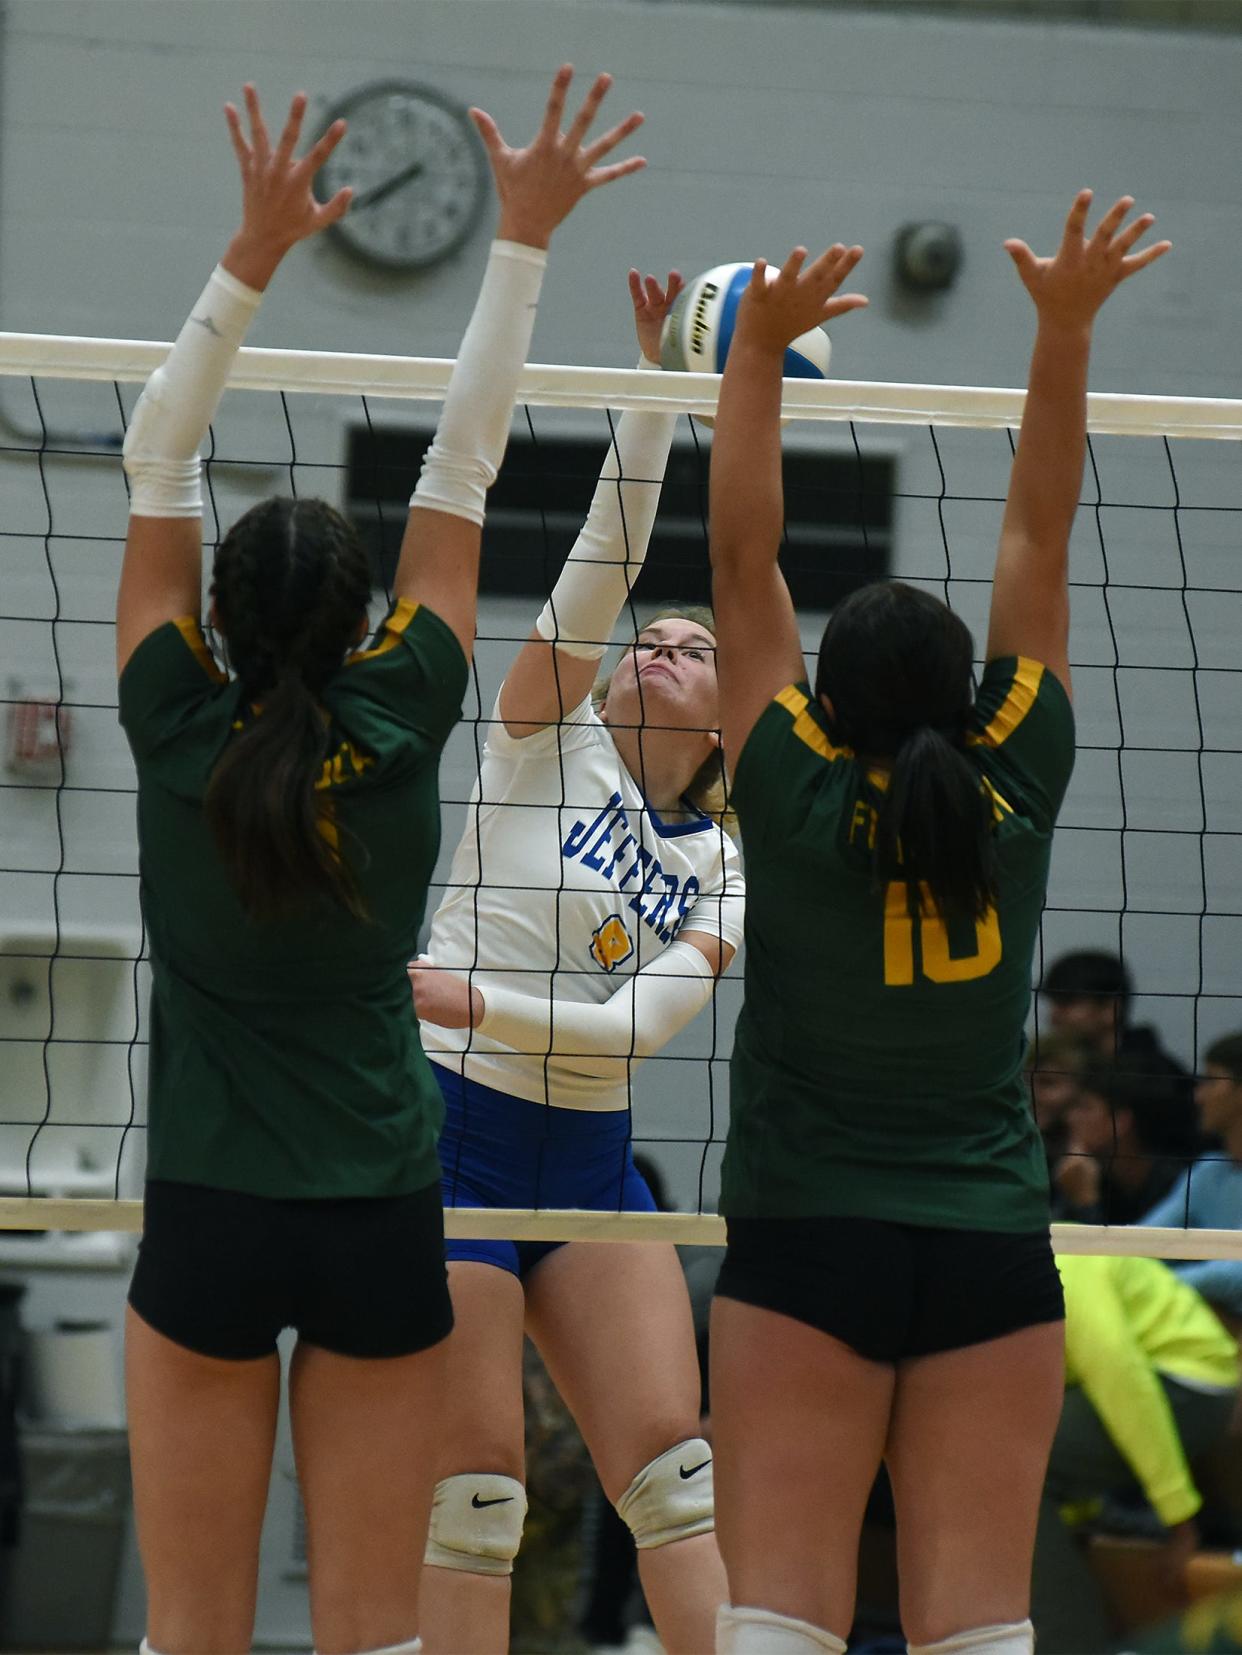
<point>1152,1384</point>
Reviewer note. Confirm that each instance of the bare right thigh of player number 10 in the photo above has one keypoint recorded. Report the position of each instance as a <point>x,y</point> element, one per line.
<point>968,1457</point>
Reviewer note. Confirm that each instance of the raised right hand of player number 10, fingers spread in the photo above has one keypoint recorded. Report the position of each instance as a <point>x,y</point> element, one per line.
<point>1071,287</point>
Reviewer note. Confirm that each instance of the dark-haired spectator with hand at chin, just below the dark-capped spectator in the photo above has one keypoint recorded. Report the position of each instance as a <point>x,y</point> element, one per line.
<point>1129,1143</point>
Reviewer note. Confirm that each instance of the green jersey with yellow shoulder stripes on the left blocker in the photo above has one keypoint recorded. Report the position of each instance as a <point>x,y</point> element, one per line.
<point>286,1057</point>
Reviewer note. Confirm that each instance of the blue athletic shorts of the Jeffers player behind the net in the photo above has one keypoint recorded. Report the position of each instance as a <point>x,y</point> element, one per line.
<point>501,1151</point>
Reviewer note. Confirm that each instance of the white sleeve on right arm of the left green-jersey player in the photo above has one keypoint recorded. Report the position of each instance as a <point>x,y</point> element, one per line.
<point>465,459</point>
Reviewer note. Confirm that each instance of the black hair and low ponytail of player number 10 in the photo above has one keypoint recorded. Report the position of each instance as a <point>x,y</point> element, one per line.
<point>897,666</point>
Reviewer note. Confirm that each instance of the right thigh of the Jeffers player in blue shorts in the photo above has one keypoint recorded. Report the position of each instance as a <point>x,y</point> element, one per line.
<point>614,1323</point>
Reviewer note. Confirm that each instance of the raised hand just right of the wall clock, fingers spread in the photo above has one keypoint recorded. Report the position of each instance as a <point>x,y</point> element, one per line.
<point>539,186</point>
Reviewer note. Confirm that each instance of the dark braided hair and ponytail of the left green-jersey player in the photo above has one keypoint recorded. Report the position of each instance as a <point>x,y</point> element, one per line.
<point>291,588</point>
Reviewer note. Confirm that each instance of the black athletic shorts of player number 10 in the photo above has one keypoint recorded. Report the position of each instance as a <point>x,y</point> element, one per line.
<point>893,1292</point>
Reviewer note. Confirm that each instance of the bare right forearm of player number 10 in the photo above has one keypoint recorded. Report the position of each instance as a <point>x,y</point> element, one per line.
<point>1052,444</point>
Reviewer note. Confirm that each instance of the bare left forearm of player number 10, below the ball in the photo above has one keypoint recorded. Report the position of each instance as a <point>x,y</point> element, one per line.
<point>746,491</point>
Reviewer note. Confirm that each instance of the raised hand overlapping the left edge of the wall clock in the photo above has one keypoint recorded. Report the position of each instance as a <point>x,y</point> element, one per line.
<point>279,208</point>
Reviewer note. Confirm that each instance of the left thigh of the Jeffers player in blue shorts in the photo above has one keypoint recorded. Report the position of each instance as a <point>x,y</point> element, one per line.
<point>481,1422</point>
